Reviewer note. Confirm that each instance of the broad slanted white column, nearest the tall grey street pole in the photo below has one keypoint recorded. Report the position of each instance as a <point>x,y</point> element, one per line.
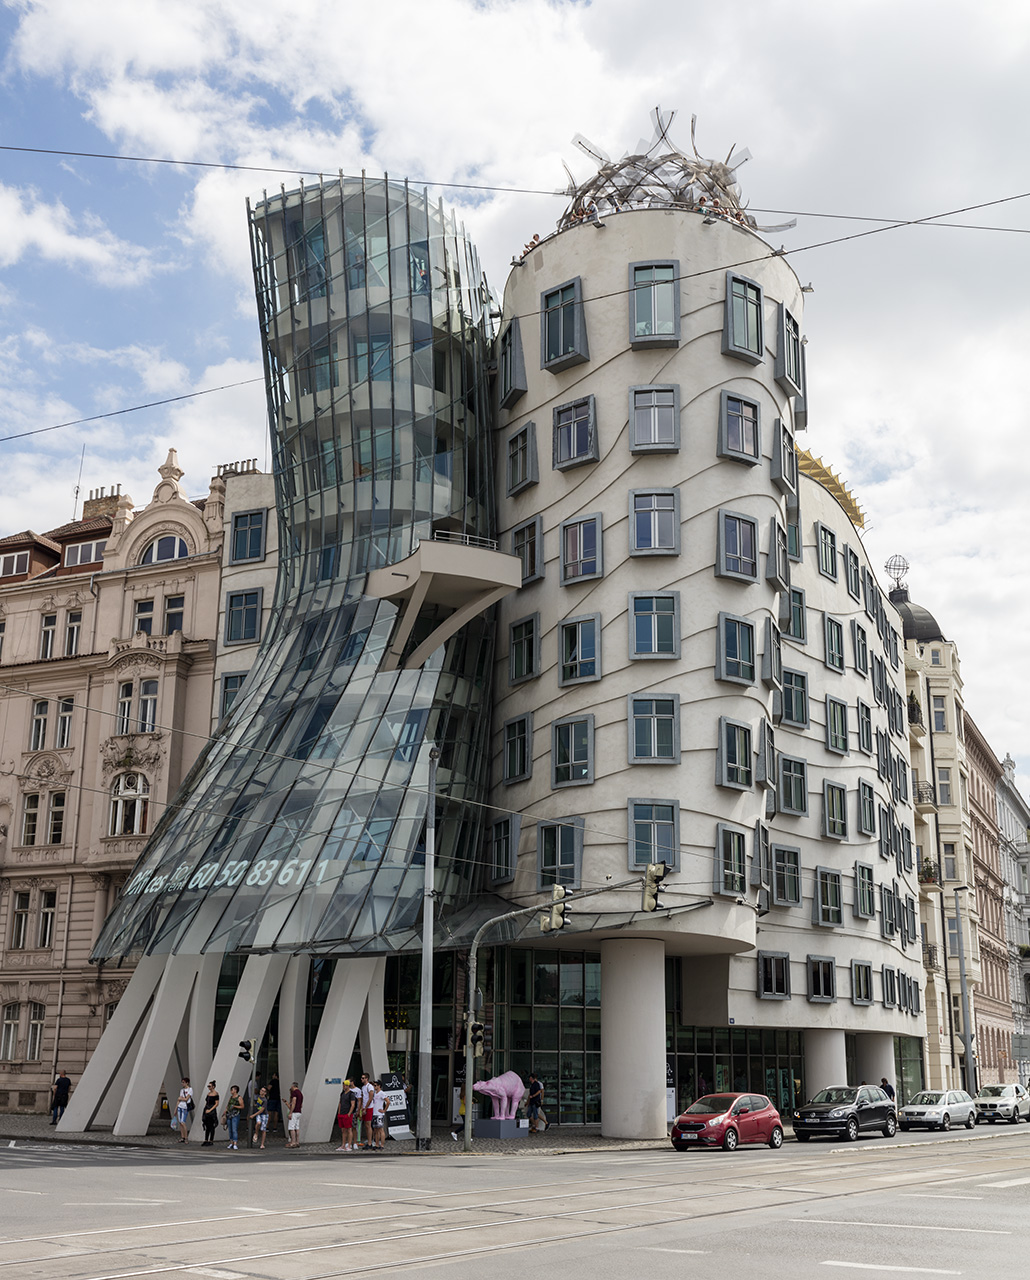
<point>335,1045</point>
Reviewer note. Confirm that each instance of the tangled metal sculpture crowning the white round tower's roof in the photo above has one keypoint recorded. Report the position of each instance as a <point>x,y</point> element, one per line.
<point>660,176</point>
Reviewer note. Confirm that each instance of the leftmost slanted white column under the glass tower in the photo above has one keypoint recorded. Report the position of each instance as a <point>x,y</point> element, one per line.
<point>117,1050</point>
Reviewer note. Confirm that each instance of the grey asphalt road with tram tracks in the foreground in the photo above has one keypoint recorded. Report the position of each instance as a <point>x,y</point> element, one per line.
<point>950,1205</point>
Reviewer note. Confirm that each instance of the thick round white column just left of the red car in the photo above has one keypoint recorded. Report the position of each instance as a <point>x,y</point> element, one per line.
<point>634,1039</point>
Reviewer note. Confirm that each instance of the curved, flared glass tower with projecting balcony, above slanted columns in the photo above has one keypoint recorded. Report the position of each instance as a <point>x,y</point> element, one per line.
<point>301,826</point>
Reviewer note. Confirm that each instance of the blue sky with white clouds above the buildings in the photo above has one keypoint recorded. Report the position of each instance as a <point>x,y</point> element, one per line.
<point>125,284</point>
